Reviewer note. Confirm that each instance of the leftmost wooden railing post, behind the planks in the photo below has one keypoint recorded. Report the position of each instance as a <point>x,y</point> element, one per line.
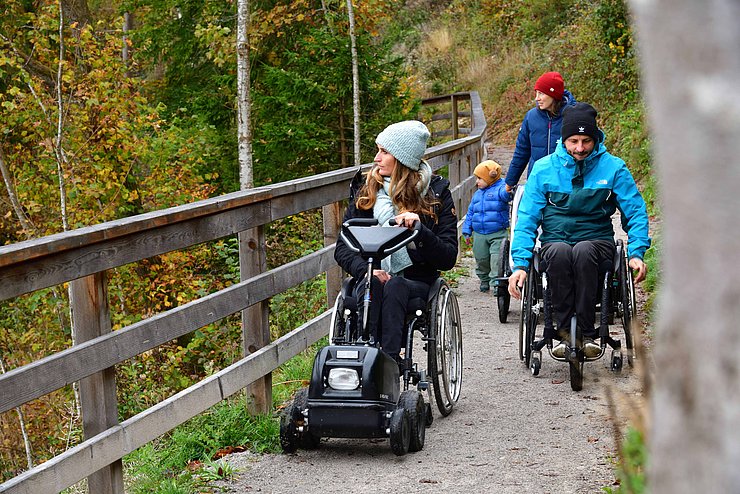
<point>91,318</point>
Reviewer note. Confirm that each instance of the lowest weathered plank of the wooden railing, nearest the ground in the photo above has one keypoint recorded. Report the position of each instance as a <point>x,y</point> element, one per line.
<point>97,452</point>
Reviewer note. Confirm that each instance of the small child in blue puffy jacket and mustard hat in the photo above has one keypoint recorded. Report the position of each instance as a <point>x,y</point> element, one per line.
<point>487,220</point>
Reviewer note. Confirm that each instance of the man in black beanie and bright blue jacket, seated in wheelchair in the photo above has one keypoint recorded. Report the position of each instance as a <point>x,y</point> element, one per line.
<point>572,194</point>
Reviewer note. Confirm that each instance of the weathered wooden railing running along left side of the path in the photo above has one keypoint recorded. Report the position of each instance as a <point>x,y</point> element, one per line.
<point>83,256</point>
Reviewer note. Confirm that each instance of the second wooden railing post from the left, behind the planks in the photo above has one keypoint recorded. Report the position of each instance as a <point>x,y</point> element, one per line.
<point>255,319</point>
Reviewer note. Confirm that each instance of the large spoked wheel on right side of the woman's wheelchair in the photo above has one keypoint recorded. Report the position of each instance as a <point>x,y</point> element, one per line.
<point>445,354</point>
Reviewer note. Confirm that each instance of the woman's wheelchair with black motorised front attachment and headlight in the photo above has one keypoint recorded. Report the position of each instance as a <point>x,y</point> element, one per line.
<point>356,389</point>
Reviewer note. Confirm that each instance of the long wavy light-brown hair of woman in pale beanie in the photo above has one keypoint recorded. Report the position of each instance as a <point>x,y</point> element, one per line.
<point>405,193</point>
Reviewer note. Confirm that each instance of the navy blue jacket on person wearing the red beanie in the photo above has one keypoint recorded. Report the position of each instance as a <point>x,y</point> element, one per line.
<point>537,138</point>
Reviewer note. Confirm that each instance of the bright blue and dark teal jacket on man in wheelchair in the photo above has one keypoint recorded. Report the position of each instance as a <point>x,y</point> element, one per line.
<point>575,202</point>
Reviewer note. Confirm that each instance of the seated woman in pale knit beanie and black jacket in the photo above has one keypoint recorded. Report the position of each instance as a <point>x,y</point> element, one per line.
<point>401,186</point>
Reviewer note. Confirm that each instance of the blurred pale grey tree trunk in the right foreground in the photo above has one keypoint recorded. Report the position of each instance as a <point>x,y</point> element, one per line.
<point>691,66</point>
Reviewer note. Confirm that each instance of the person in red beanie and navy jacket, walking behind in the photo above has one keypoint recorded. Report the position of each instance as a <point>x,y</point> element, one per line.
<point>540,128</point>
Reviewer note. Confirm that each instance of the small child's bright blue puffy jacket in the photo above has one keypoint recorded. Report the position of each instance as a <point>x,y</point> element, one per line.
<point>489,210</point>
